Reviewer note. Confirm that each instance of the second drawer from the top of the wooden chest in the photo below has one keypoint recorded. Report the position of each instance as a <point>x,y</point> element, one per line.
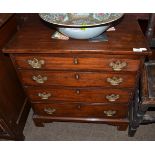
<point>82,79</point>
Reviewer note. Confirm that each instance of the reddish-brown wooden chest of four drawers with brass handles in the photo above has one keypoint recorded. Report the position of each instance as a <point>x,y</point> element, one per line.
<point>78,80</point>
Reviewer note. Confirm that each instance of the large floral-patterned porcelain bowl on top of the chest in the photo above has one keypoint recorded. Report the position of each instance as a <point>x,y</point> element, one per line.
<point>81,25</point>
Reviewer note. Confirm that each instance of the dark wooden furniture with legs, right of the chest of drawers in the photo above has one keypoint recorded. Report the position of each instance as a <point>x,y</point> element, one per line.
<point>144,99</point>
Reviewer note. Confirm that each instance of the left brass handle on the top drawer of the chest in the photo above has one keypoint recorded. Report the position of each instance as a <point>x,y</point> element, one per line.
<point>35,63</point>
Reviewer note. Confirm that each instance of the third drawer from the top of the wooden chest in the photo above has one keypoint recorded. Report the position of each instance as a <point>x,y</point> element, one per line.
<point>78,95</point>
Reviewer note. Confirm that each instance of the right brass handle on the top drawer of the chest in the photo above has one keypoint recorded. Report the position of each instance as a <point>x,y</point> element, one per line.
<point>118,65</point>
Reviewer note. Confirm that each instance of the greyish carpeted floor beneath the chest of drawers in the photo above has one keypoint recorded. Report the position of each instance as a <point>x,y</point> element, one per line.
<point>65,131</point>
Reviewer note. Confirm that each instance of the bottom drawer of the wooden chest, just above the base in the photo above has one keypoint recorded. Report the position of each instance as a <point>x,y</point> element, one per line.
<point>81,110</point>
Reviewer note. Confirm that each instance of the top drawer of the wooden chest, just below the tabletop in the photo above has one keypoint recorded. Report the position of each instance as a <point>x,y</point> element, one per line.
<point>108,63</point>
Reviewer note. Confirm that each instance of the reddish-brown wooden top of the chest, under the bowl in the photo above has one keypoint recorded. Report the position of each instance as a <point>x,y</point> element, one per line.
<point>35,37</point>
